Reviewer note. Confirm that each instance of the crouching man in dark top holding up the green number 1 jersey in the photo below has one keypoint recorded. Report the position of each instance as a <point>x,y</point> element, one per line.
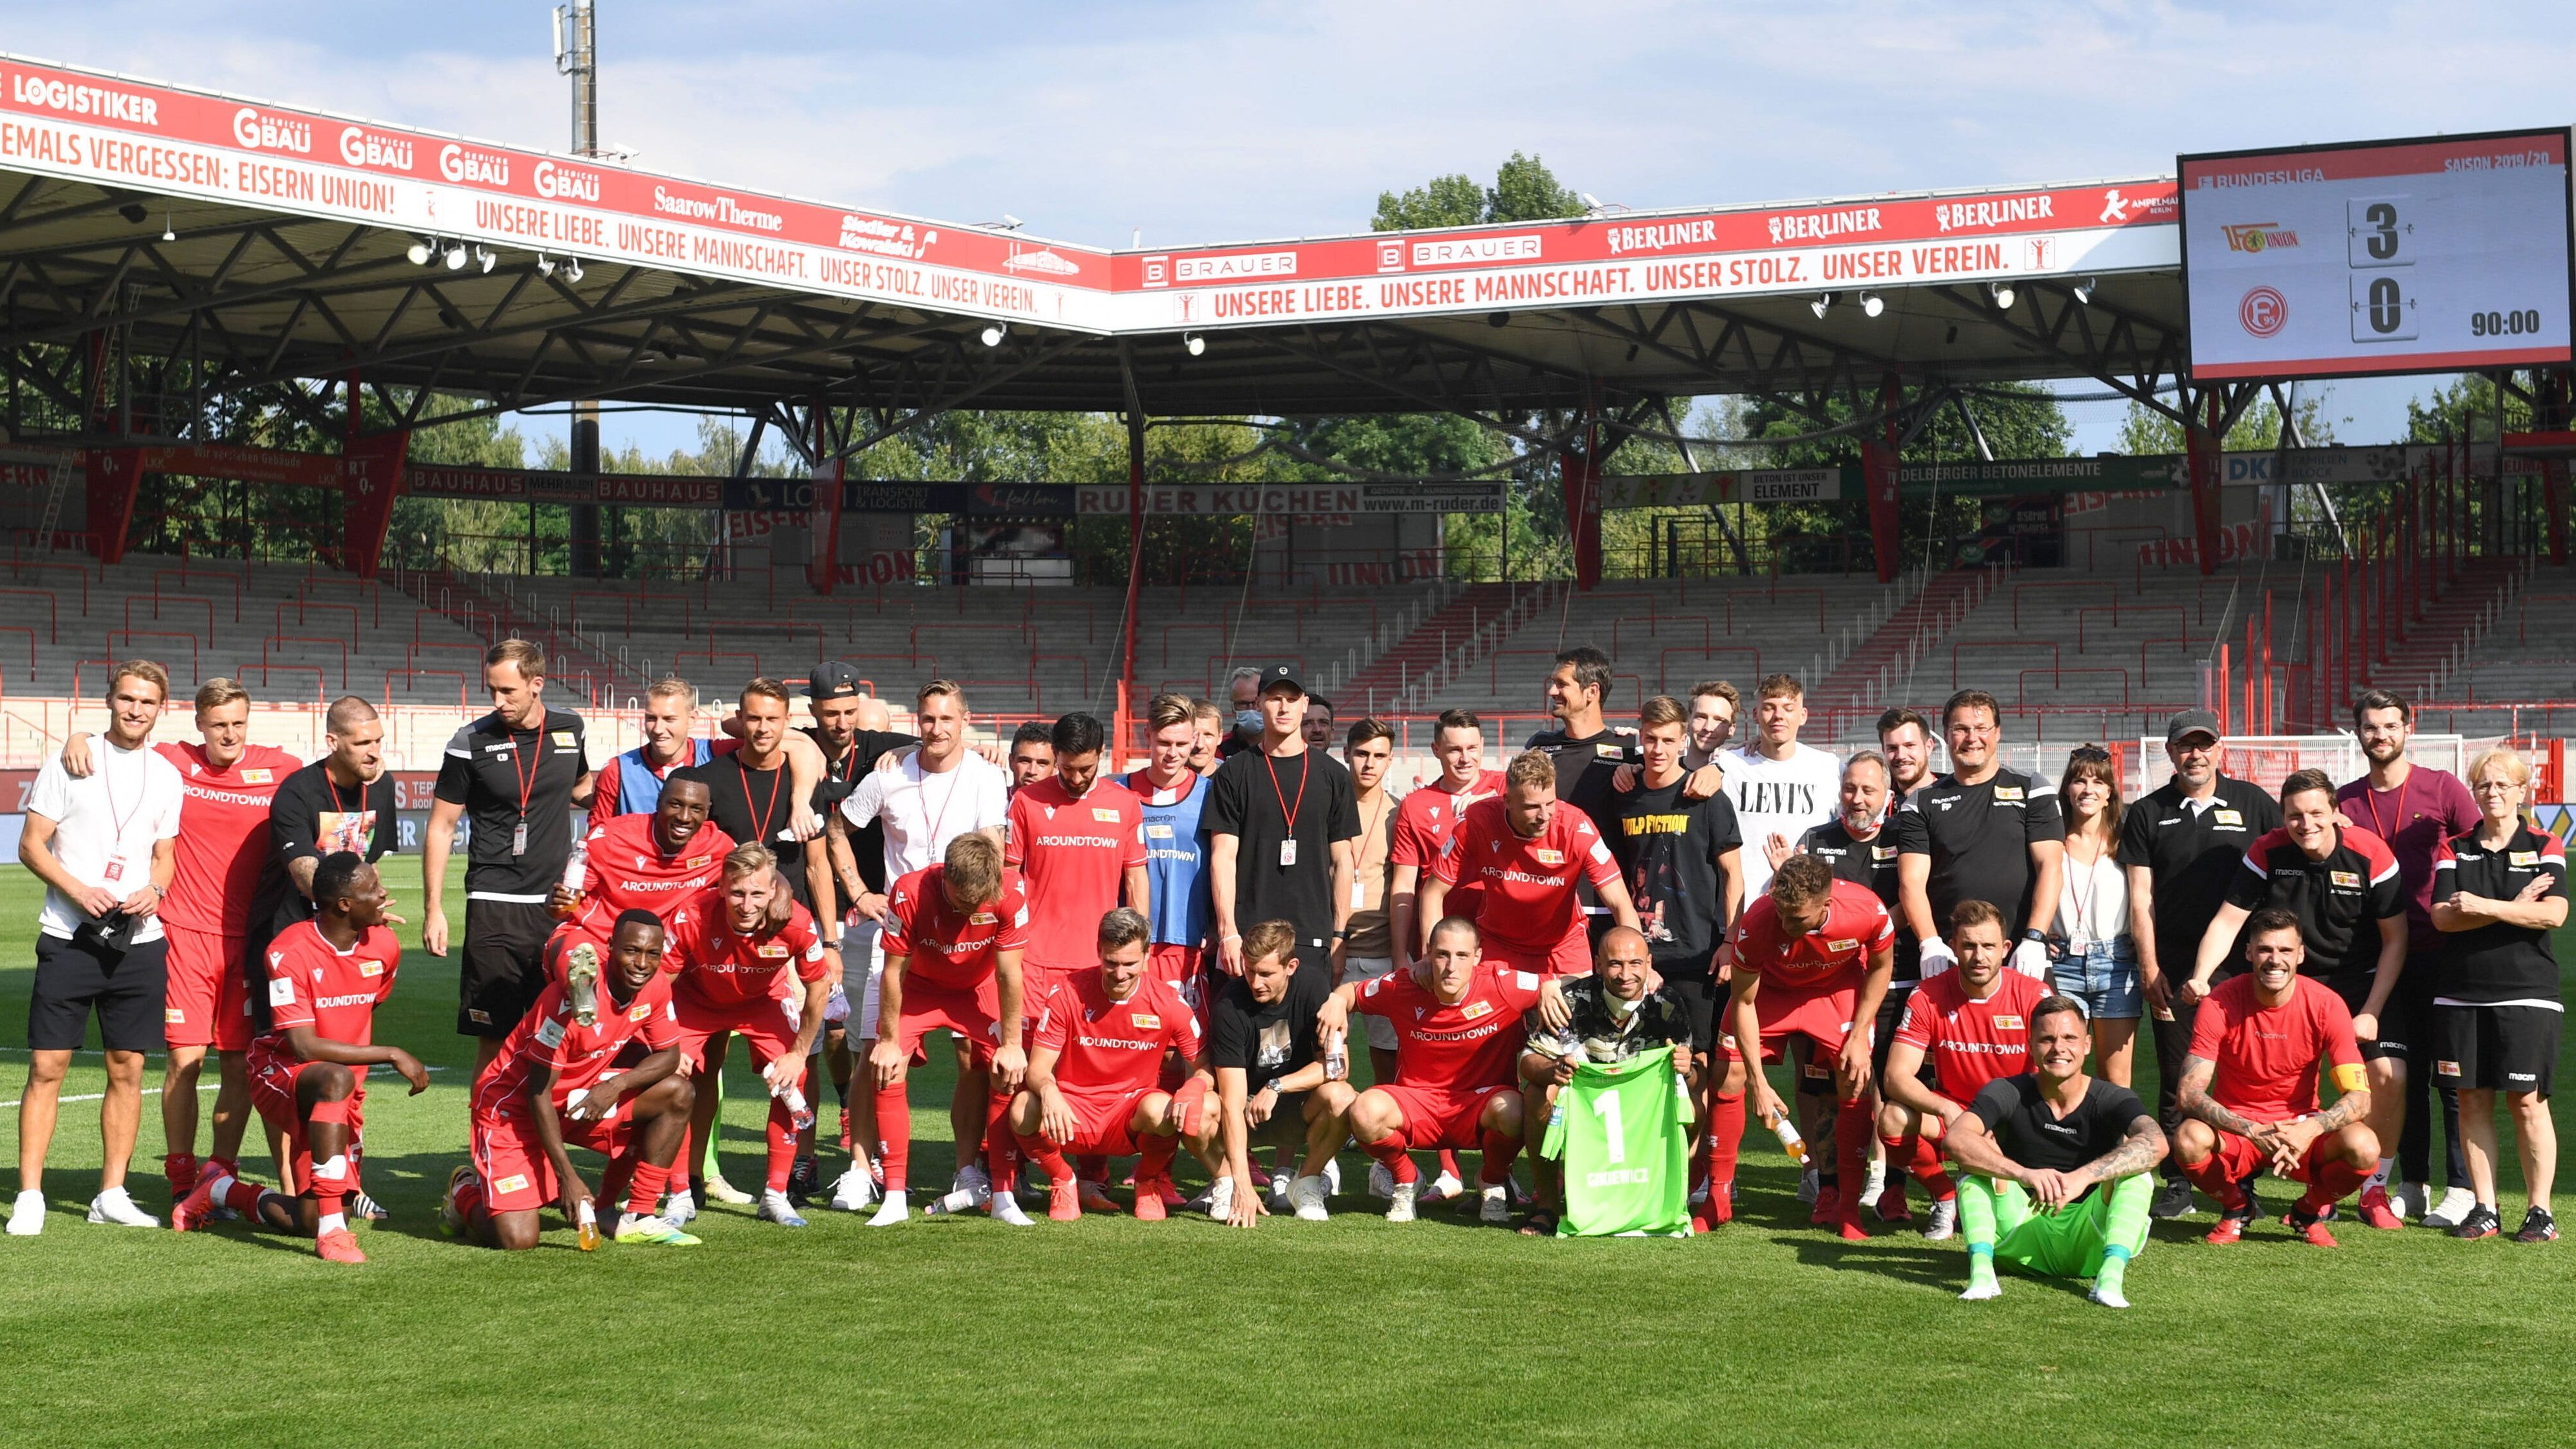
<point>1611,1018</point>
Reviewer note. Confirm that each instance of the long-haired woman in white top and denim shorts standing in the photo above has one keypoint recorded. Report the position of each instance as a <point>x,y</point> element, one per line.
<point>2093,951</point>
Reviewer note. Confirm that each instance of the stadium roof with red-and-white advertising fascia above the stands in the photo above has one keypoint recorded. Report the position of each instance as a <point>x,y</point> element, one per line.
<point>194,235</point>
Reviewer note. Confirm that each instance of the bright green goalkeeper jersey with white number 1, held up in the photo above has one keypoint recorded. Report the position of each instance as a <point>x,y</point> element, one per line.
<point>1624,1139</point>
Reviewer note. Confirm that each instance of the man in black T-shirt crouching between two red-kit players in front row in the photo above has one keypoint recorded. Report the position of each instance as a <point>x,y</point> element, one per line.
<point>1274,1080</point>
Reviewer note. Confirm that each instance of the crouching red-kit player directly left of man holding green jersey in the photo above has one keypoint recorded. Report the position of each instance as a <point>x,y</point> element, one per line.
<point>1457,1051</point>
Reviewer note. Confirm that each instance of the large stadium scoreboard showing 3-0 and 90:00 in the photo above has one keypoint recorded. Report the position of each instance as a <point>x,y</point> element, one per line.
<point>2428,256</point>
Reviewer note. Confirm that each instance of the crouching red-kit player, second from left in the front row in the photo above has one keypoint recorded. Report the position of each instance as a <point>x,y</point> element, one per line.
<point>555,1087</point>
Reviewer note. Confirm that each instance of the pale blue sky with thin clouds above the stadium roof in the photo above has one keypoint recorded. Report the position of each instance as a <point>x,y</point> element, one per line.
<point>1266,120</point>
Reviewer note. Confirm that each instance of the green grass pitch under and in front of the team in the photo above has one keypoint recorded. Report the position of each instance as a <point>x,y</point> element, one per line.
<point>1119,1332</point>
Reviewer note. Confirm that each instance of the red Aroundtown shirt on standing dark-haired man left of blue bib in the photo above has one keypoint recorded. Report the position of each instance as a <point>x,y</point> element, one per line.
<point>1073,856</point>
